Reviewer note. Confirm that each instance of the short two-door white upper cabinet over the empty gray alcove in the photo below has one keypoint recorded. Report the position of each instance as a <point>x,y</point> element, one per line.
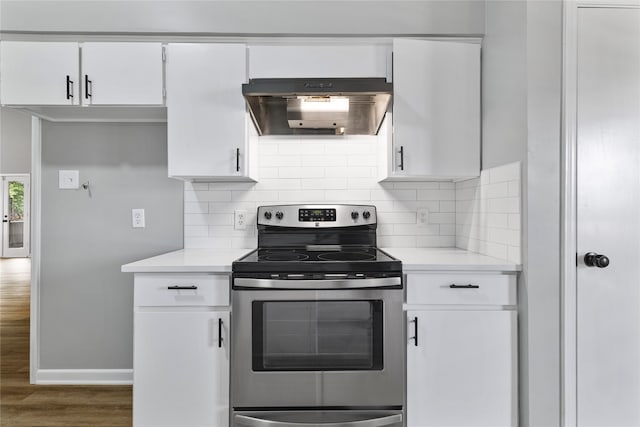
<point>61,74</point>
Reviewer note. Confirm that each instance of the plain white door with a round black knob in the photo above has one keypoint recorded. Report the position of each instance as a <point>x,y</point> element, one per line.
<point>608,217</point>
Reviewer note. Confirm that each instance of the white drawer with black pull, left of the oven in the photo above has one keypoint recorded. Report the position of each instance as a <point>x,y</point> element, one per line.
<point>181,290</point>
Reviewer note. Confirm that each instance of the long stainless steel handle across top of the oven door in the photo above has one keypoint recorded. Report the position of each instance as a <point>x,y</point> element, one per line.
<point>383,282</point>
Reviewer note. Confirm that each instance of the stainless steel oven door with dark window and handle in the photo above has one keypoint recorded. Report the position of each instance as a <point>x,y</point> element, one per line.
<point>307,348</point>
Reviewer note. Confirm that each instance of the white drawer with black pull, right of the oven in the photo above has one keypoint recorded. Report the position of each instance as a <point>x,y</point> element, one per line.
<point>485,289</point>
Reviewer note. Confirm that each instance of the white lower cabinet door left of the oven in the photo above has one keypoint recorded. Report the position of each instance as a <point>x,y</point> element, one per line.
<point>180,371</point>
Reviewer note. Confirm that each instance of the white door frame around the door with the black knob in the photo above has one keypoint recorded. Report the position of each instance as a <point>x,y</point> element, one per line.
<point>568,200</point>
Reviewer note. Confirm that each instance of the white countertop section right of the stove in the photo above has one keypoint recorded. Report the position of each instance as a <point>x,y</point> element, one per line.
<point>448,259</point>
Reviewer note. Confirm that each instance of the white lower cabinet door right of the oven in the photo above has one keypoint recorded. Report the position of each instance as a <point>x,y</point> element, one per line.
<point>463,370</point>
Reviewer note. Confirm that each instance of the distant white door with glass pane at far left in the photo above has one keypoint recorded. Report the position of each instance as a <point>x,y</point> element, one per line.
<point>15,216</point>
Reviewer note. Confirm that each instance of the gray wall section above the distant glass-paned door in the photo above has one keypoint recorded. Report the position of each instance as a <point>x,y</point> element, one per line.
<point>15,141</point>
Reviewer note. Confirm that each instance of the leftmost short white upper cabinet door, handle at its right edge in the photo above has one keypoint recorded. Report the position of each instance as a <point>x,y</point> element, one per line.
<point>38,73</point>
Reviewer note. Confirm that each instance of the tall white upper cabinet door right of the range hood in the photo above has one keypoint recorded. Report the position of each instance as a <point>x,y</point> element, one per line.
<point>436,109</point>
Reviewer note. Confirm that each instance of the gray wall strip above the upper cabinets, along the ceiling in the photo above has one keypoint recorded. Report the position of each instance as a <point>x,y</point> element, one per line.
<point>246,17</point>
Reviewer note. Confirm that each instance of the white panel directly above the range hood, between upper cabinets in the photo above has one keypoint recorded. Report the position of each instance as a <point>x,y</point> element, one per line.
<point>268,61</point>
